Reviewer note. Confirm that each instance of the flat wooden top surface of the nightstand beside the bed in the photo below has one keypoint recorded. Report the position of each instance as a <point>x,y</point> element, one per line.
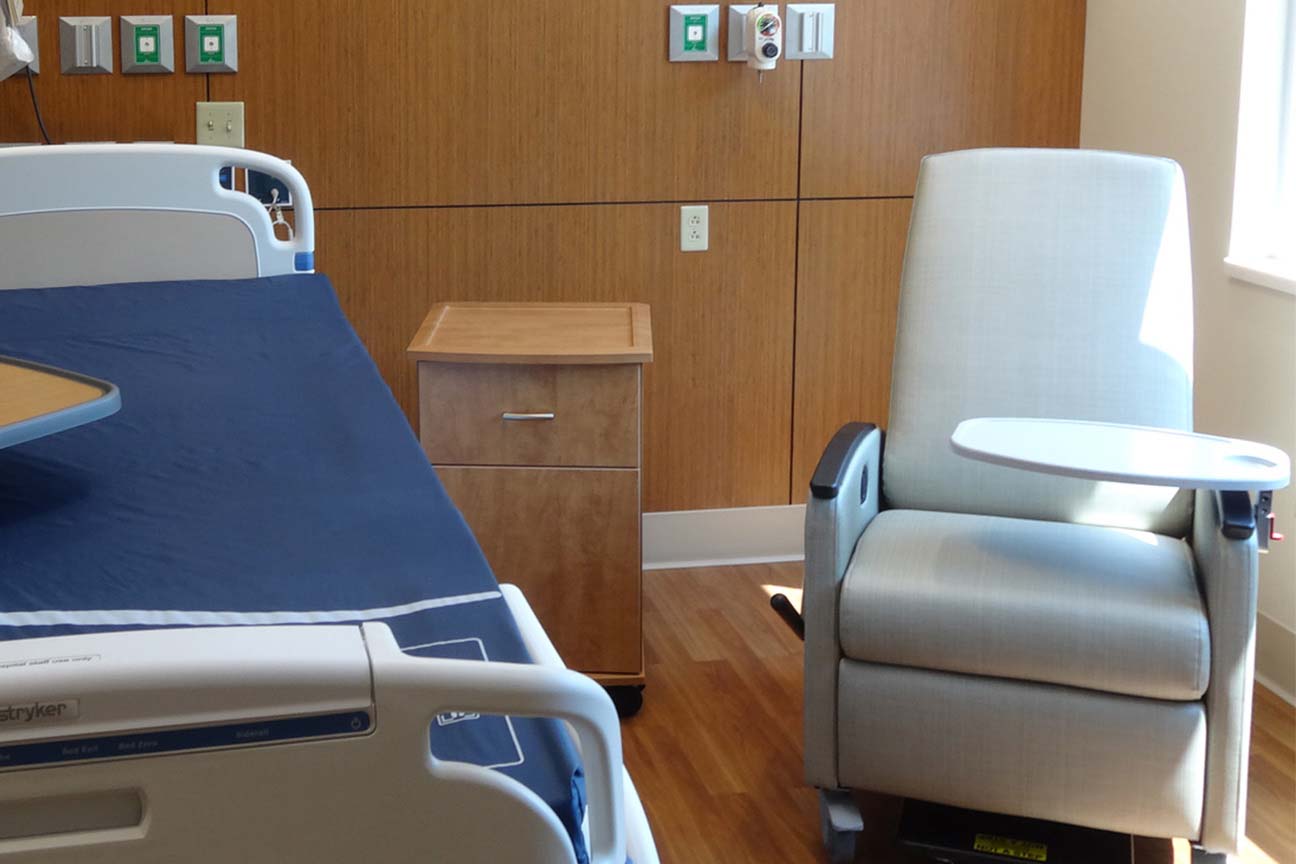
<point>538,334</point>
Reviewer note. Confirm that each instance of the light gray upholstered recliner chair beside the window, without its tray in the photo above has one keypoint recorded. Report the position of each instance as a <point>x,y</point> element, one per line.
<point>1010,642</point>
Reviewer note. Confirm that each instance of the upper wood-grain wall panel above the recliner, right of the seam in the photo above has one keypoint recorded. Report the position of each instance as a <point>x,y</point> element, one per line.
<point>918,77</point>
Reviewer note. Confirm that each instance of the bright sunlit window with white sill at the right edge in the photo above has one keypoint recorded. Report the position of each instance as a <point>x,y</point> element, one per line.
<point>1263,248</point>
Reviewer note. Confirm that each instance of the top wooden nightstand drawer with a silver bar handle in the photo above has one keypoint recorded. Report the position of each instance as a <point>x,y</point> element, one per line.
<point>529,415</point>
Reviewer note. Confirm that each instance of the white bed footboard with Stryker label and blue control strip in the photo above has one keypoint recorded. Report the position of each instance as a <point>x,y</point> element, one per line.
<point>161,747</point>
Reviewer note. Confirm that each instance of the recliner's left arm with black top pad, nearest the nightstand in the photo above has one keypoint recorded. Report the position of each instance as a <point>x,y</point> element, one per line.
<point>846,498</point>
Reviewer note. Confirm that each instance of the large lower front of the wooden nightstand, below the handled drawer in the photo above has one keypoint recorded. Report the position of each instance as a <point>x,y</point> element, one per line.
<point>570,540</point>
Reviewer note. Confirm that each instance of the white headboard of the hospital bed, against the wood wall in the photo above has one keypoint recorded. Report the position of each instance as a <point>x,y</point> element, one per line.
<point>82,214</point>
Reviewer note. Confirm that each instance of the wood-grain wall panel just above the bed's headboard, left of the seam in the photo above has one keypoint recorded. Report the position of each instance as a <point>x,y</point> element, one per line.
<point>103,108</point>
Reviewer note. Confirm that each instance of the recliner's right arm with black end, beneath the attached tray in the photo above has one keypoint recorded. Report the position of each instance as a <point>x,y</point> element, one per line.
<point>1228,564</point>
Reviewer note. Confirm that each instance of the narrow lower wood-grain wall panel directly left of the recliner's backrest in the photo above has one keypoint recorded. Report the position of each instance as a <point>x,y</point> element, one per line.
<point>848,287</point>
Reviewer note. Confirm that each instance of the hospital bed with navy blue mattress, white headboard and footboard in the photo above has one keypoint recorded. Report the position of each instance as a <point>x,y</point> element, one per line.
<point>160,699</point>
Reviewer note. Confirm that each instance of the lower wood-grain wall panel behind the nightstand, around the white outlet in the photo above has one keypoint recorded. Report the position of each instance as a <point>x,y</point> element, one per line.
<point>719,394</point>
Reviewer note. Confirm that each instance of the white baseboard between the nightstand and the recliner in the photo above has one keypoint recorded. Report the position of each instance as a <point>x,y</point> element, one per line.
<point>716,538</point>
